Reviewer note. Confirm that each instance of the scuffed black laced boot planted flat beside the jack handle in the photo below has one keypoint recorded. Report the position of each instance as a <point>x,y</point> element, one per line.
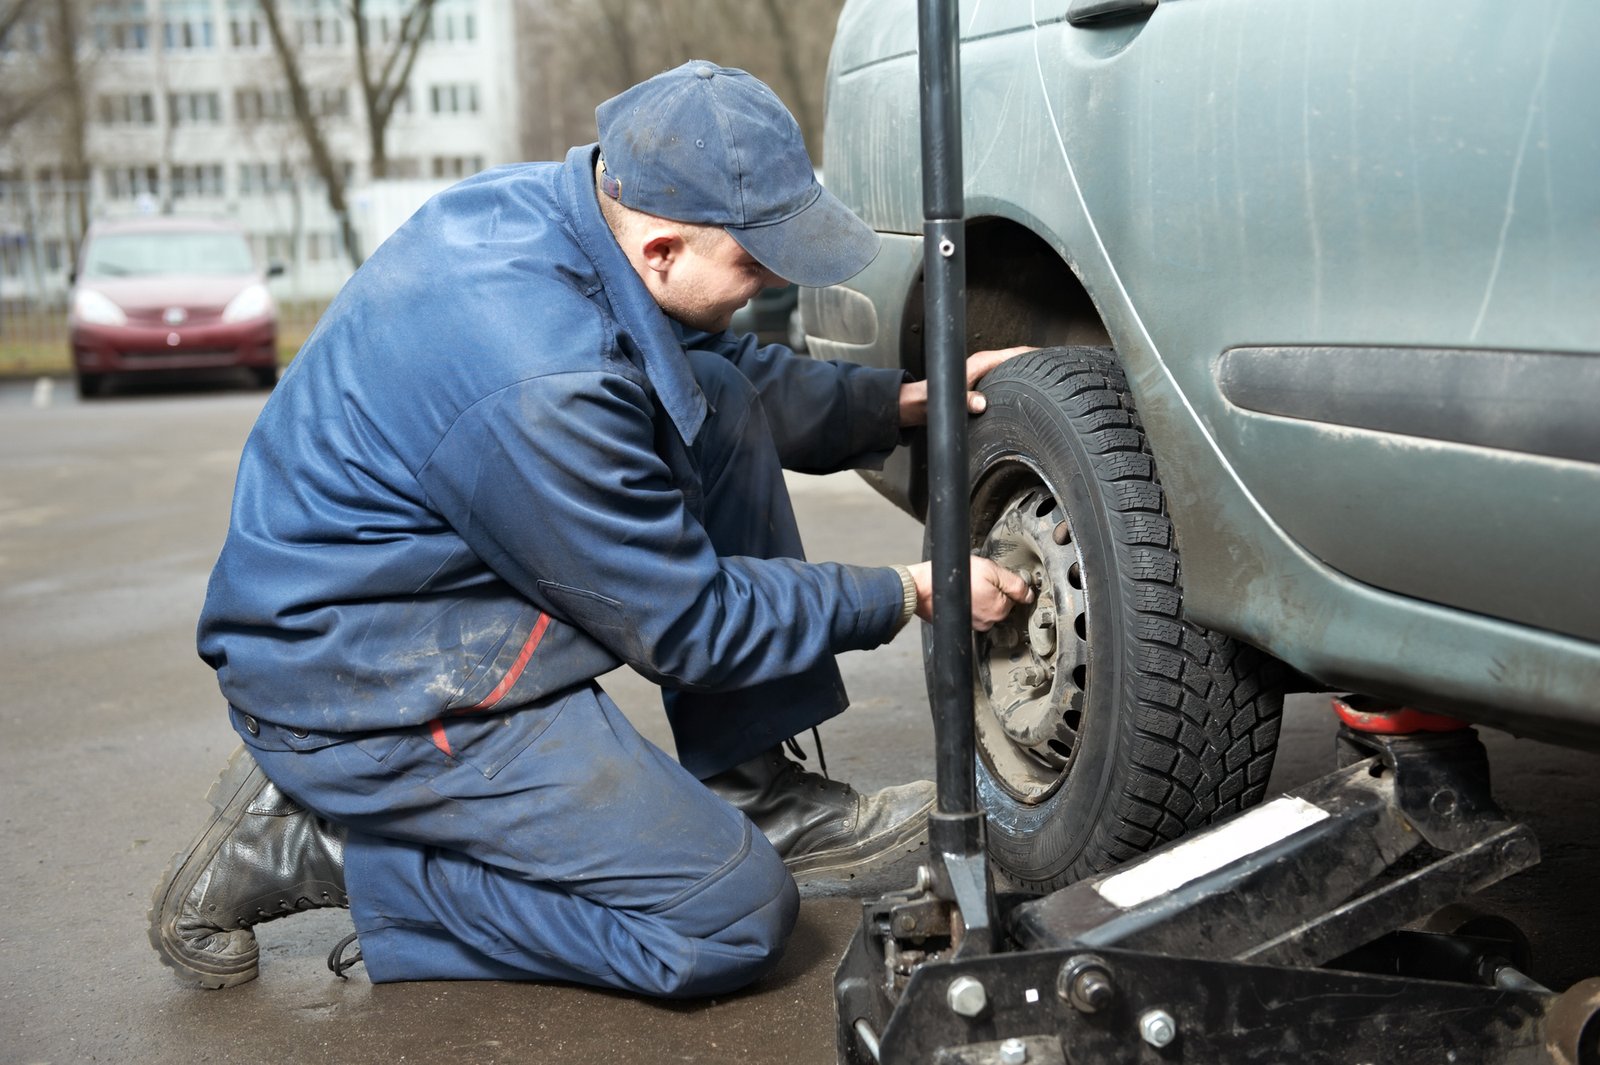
<point>826,829</point>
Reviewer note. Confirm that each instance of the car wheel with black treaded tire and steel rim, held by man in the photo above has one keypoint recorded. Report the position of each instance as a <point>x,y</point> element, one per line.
<point>1106,722</point>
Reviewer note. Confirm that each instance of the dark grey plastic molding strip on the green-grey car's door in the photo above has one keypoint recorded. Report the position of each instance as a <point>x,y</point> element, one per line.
<point>1527,402</point>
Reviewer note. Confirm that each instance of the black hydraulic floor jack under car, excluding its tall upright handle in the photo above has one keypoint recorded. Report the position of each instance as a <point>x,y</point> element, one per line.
<point>1313,928</point>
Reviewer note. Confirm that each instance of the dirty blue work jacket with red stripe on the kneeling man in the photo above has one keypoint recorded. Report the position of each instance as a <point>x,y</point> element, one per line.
<point>470,489</point>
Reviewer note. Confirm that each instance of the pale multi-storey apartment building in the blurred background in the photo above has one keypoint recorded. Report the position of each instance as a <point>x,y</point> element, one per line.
<point>188,111</point>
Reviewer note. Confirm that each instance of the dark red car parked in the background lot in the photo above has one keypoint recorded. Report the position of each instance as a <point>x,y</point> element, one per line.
<point>170,293</point>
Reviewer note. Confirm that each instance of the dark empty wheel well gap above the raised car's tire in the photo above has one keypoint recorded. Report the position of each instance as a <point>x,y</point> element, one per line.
<point>1018,292</point>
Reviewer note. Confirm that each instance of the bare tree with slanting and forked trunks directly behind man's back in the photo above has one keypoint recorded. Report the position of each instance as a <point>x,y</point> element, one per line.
<point>383,79</point>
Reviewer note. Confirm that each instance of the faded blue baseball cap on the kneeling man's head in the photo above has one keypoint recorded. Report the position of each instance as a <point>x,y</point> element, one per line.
<point>714,146</point>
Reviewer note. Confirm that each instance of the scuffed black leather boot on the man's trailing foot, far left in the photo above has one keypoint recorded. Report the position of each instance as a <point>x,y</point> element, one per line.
<point>260,858</point>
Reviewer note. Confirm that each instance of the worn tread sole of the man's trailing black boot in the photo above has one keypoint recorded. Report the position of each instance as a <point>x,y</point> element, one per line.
<point>230,799</point>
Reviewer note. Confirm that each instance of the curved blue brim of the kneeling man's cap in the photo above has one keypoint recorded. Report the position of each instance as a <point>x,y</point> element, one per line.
<point>822,245</point>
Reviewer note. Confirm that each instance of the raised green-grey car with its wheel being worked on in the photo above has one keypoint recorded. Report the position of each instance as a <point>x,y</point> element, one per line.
<point>1318,293</point>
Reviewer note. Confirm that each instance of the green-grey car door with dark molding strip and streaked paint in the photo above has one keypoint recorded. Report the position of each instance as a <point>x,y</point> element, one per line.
<point>1366,241</point>
